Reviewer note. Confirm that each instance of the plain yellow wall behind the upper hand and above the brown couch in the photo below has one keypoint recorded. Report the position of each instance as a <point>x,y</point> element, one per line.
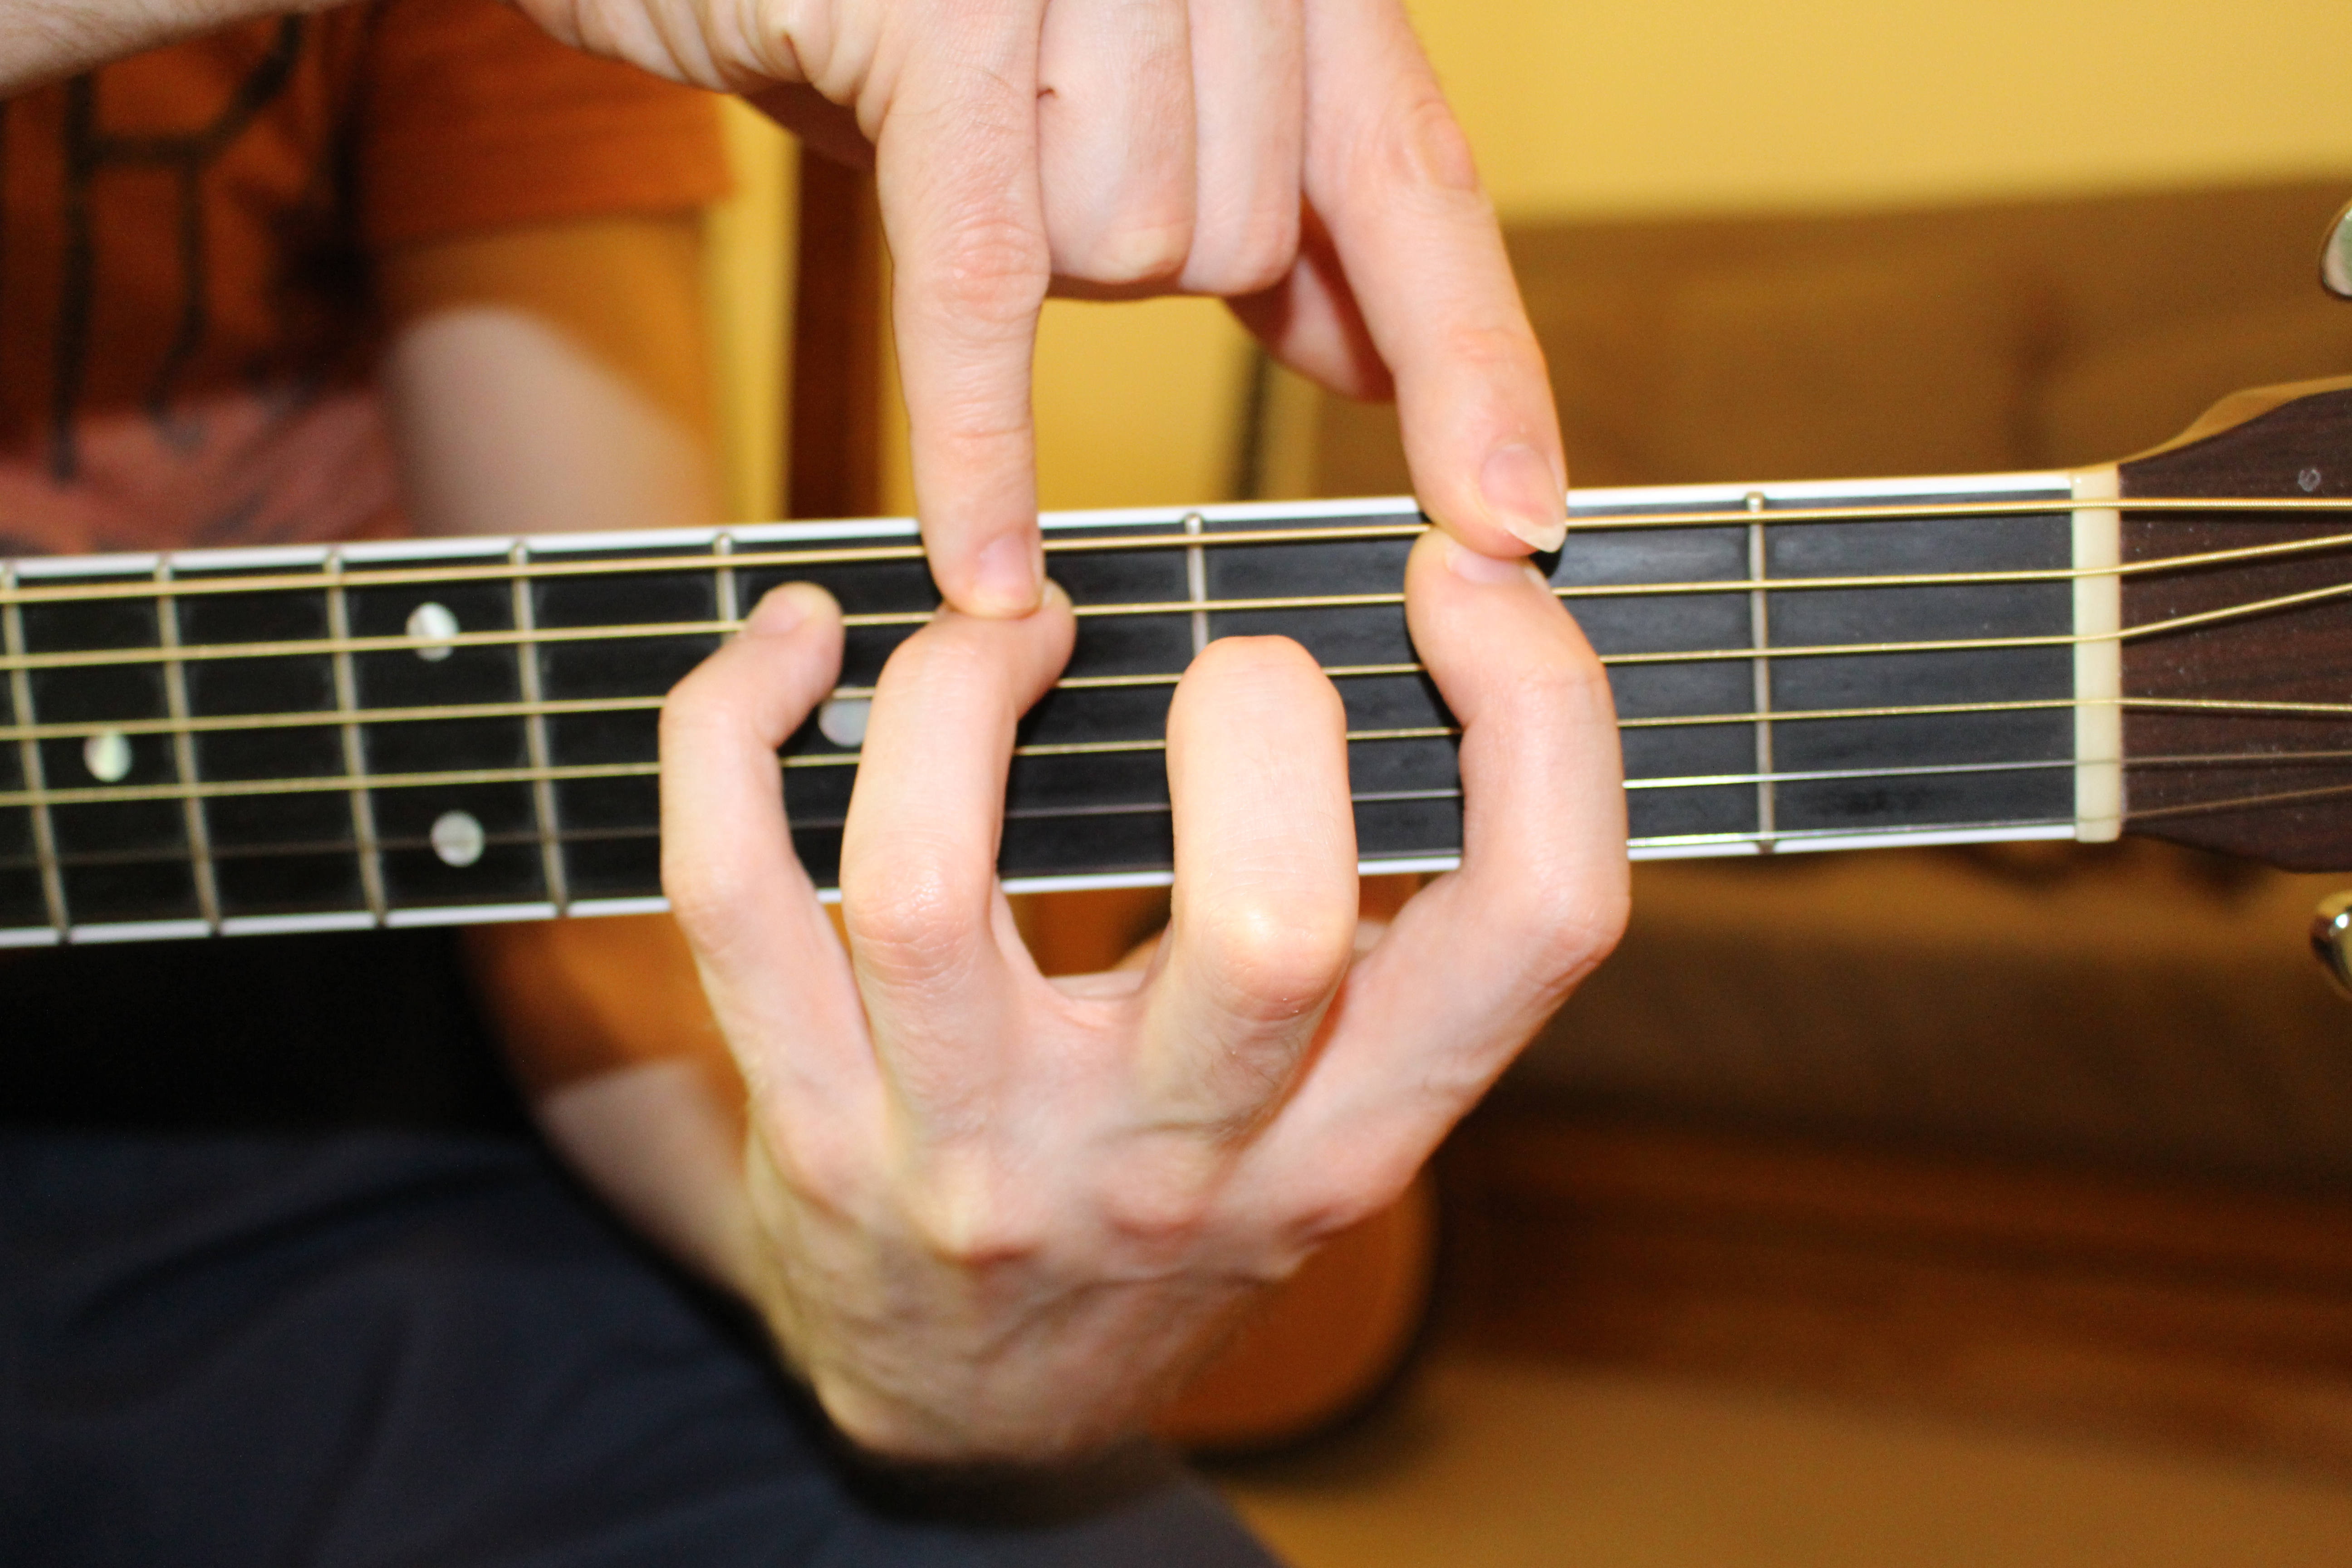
<point>1629,107</point>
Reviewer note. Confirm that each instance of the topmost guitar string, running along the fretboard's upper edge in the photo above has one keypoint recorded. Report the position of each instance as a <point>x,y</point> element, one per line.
<point>1170,537</point>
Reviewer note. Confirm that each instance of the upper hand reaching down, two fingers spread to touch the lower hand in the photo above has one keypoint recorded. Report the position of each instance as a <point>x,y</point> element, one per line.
<point>1292,156</point>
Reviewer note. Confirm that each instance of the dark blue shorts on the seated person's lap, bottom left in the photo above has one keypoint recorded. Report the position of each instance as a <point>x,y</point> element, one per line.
<point>422,1346</point>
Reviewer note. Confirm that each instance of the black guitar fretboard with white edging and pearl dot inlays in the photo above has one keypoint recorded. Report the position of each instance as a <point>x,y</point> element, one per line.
<point>439,732</point>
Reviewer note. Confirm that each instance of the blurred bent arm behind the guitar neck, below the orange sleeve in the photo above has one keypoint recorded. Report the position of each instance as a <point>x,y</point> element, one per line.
<point>552,380</point>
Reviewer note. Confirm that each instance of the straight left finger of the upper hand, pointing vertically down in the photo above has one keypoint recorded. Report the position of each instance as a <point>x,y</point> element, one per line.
<point>956,159</point>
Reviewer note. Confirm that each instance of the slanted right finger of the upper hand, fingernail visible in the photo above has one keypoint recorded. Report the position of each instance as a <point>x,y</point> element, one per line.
<point>1391,175</point>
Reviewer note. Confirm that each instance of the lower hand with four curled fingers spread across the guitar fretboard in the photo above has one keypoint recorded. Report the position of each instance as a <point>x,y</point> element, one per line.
<point>1003,1214</point>
